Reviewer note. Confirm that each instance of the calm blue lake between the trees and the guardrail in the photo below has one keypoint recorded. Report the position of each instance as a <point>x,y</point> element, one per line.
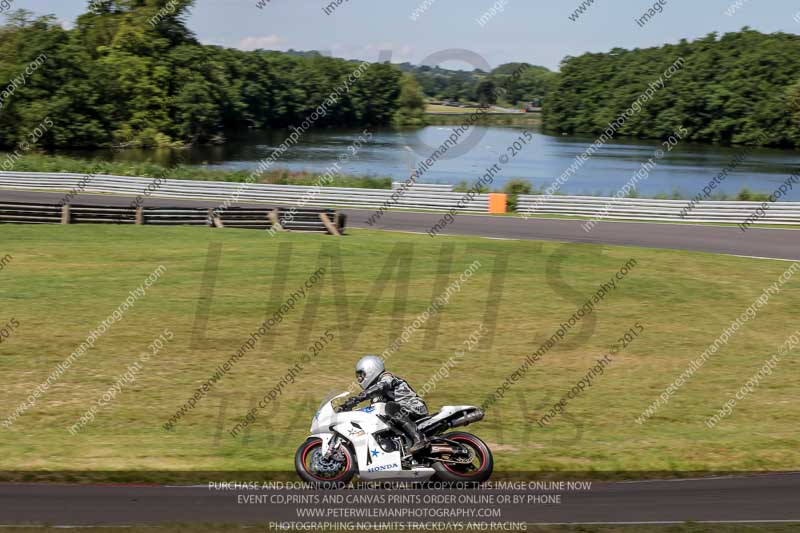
<point>686,169</point>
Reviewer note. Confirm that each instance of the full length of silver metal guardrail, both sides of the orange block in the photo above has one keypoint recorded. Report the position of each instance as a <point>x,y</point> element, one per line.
<point>420,197</point>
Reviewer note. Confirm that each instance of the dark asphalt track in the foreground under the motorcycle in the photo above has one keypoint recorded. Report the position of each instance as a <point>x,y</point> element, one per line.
<point>730,499</point>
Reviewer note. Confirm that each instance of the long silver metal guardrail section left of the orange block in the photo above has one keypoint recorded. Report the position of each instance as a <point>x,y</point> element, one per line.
<point>425,198</point>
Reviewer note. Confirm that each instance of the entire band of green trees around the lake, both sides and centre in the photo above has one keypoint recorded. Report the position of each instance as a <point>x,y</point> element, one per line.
<point>130,73</point>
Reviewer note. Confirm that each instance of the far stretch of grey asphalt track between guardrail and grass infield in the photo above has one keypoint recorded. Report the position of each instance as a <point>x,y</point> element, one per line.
<point>773,243</point>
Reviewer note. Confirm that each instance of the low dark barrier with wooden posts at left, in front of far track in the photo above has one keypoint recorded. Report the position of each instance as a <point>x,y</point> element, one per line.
<point>313,220</point>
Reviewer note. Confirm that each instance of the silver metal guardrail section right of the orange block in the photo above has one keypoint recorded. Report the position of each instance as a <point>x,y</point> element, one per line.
<point>733,212</point>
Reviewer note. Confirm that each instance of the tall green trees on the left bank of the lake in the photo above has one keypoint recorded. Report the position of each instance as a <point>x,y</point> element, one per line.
<point>130,73</point>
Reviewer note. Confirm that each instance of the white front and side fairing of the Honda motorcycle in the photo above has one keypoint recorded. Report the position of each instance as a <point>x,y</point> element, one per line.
<point>359,427</point>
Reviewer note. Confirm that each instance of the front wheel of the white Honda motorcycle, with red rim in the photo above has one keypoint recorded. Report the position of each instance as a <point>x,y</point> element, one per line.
<point>312,467</point>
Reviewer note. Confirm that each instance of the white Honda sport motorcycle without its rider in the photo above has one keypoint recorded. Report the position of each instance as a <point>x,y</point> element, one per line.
<point>364,442</point>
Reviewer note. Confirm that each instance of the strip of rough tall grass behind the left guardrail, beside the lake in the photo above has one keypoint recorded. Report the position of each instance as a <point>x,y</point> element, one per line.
<point>46,163</point>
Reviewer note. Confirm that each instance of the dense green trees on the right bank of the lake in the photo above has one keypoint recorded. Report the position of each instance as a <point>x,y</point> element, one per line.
<point>738,88</point>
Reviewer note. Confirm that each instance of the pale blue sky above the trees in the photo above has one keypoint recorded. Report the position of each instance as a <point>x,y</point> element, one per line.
<point>535,31</point>
